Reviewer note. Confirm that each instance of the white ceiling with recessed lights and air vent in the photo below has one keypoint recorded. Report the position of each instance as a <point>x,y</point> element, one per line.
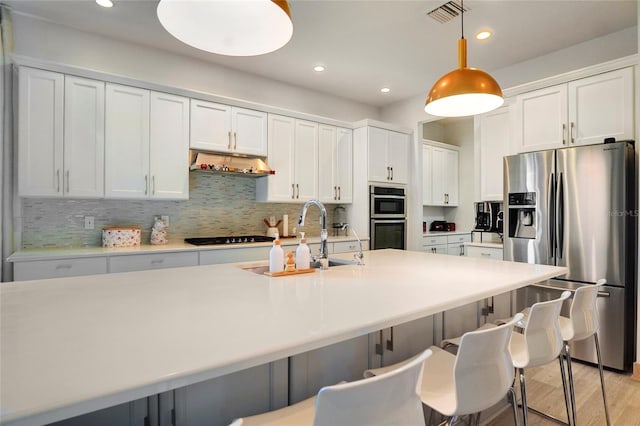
<point>367,44</point>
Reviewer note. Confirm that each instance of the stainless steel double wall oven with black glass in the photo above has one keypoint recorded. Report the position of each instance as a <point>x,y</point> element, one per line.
<point>388,214</point>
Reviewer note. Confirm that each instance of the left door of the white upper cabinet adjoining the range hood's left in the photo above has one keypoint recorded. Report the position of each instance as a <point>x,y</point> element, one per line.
<point>127,142</point>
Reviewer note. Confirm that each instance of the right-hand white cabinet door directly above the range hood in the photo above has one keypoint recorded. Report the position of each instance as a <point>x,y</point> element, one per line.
<point>249,131</point>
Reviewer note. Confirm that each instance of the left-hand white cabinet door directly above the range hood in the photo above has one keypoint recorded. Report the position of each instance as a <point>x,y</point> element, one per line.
<point>210,126</point>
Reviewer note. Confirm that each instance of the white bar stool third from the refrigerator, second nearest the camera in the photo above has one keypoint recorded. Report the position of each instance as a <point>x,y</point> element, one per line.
<point>475,379</point>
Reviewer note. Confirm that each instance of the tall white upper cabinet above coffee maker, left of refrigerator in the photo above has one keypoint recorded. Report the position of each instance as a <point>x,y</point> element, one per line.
<point>493,139</point>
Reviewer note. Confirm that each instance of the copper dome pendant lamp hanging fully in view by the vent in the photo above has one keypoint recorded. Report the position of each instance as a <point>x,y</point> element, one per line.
<point>465,91</point>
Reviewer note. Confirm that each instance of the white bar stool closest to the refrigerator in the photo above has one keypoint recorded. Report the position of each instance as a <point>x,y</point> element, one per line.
<point>583,323</point>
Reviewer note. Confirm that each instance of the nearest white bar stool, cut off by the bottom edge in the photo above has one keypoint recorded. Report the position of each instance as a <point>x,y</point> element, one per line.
<point>389,399</point>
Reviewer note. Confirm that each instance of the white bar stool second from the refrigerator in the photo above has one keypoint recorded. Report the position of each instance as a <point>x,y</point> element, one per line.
<point>540,343</point>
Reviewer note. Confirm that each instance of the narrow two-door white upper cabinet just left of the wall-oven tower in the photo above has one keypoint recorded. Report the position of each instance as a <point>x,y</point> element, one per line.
<point>335,164</point>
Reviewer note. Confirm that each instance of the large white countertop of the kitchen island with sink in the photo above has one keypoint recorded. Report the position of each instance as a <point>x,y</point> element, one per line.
<point>75,345</point>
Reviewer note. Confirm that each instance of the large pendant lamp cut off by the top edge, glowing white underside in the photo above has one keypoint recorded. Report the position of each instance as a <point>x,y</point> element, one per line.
<point>228,27</point>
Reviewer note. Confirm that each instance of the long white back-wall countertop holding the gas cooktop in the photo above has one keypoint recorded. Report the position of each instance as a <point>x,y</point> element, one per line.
<point>76,252</point>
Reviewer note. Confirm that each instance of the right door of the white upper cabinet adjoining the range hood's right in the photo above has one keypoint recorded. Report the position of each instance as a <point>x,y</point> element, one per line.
<point>306,160</point>
